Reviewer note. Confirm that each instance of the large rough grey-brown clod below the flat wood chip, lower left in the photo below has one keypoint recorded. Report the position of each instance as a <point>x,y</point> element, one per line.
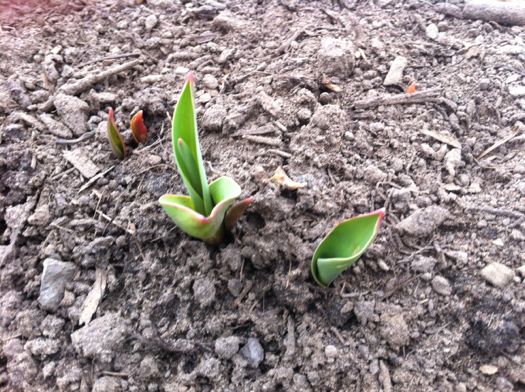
<point>101,338</point>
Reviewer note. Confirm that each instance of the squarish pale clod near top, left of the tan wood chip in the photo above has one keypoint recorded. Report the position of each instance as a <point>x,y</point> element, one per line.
<point>336,57</point>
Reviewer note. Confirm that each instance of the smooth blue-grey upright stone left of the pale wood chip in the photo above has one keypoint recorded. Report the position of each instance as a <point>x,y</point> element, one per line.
<point>53,283</point>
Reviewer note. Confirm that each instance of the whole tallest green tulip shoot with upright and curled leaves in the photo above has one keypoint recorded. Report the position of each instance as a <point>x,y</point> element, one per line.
<point>210,209</point>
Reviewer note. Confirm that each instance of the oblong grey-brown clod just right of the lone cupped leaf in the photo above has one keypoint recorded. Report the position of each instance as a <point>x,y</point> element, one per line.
<point>423,222</point>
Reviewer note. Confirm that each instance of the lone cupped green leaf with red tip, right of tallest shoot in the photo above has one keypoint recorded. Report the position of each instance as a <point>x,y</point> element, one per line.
<point>344,245</point>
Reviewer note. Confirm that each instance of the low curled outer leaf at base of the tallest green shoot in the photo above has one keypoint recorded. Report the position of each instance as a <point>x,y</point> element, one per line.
<point>181,209</point>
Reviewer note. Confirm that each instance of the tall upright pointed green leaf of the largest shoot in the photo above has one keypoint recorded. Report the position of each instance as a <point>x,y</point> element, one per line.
<point>188,154</point>
